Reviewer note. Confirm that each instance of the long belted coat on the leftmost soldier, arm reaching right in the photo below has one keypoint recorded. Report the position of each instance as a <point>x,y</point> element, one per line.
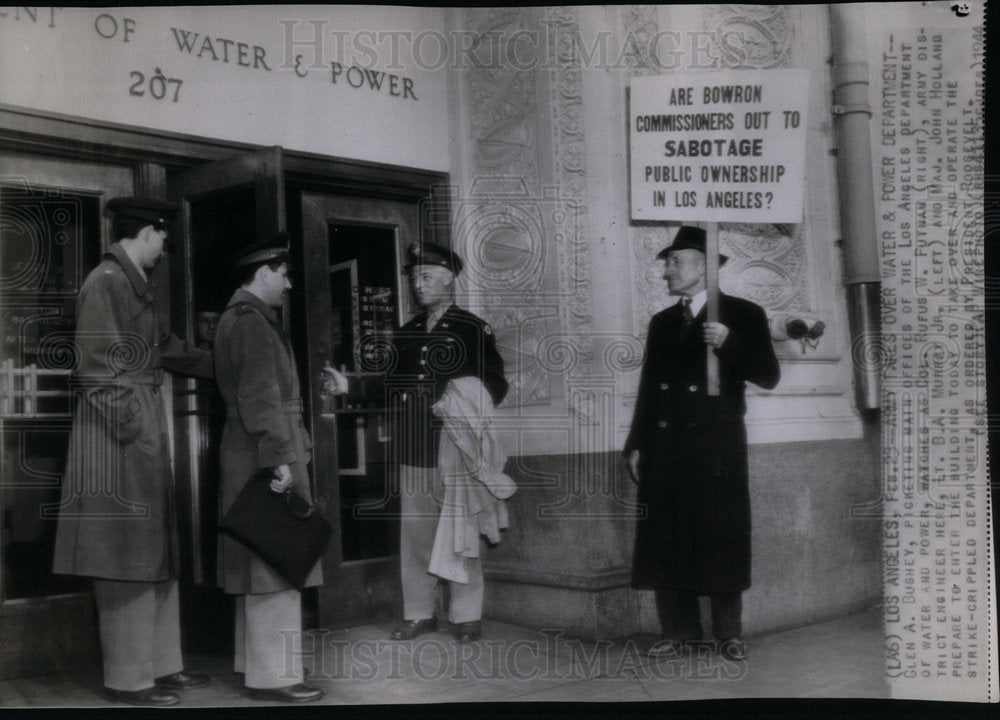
<point>116,518</point>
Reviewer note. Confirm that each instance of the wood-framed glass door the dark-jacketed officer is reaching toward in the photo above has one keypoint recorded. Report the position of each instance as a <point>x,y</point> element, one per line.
<point>355,299</point>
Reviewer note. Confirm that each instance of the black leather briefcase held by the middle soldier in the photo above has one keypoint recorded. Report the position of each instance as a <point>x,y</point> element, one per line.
<point>285,530</point>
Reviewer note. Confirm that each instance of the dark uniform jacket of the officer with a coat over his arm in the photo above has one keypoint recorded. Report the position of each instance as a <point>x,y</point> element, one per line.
<point>422,362</point>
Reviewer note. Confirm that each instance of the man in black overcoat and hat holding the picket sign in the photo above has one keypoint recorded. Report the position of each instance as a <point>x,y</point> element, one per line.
<point>688,452</point>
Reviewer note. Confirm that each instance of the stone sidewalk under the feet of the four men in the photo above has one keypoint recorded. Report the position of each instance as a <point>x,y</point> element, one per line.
<point>841,658</point>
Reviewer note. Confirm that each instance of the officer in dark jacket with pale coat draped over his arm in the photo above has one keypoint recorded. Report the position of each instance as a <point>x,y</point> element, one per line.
<point>441,343</point>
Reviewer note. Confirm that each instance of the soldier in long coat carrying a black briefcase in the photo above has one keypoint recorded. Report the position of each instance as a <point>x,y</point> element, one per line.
<point>256,374</point>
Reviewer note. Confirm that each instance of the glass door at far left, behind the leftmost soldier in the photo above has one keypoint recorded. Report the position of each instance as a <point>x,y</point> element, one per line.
<point>52,233</point>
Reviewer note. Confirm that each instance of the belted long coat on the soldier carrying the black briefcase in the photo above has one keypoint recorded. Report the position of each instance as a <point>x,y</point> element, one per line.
<point>257,377</point>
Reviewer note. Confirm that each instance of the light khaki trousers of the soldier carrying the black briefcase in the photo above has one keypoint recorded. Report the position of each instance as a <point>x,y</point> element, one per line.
<point>268,639</point>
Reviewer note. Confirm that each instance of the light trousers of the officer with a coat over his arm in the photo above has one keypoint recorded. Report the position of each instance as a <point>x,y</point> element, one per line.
<point>421,494</point>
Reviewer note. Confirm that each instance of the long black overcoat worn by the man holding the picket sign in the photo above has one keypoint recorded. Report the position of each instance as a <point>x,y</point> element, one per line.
<point>694,533</point>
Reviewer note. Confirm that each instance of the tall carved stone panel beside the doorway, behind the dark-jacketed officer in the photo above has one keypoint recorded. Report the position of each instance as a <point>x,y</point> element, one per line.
<point>499,226</point>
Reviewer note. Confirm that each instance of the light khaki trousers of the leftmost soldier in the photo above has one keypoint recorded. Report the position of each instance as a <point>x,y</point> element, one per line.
<point>140,632</point>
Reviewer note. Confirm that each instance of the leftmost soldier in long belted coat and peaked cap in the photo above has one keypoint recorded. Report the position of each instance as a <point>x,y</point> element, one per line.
<point>116,520</point>
